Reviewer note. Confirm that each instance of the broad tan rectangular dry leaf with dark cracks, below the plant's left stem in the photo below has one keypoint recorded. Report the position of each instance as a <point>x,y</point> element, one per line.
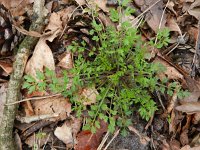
<point>58,105</point>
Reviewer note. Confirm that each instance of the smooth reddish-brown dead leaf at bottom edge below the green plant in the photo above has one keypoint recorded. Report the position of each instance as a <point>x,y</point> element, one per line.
<point>88,141</point>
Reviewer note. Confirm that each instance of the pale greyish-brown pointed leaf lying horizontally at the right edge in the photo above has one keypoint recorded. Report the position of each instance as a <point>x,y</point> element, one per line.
<point>189,108</point>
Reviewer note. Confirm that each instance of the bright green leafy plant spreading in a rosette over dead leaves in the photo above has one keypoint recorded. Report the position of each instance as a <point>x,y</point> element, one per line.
<point>118,68</point>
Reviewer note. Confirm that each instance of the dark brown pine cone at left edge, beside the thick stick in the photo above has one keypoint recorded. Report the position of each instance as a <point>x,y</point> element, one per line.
<point>9,36</point>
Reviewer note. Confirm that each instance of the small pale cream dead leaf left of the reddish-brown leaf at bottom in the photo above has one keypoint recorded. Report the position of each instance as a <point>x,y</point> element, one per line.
<point>64,133</point>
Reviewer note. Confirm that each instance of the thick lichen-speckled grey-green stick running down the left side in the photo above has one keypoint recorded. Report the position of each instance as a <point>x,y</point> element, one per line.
<point>14,85</point>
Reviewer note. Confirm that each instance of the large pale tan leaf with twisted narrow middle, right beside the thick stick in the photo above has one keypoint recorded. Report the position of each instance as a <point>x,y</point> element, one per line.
<point>42,55</point>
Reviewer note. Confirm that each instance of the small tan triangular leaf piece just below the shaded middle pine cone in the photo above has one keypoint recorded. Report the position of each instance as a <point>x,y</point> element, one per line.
<point>66,62</point>
